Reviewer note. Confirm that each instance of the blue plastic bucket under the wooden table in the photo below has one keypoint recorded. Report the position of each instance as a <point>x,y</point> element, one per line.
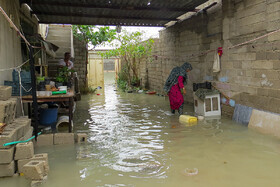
<point>48,116</point>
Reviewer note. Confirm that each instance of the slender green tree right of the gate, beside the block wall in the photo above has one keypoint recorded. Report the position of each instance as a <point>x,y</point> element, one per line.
<point>131,48</point>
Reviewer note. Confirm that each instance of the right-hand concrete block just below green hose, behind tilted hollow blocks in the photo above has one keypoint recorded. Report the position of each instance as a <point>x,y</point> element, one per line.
<point>24,151</point>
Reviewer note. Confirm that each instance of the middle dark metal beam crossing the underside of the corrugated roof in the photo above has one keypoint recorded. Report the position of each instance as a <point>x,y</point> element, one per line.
<point>101,17</point>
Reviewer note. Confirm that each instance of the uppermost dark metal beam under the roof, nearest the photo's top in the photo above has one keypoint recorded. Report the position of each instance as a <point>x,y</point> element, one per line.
<point>80,5</point>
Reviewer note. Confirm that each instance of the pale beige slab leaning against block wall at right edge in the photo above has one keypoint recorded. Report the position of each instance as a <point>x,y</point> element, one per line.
<point>265,122</point>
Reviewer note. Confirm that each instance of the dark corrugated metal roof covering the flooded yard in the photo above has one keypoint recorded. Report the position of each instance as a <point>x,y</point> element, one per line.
<point>111,12</point>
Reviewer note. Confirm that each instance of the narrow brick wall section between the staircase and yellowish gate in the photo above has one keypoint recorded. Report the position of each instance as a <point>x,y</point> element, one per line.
<point>80,61</point>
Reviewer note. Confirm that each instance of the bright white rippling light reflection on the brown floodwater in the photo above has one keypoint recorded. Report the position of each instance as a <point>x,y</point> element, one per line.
<point>125,138</point>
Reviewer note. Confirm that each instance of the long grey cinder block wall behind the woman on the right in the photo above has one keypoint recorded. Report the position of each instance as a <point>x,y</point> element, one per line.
<point>249,74</point>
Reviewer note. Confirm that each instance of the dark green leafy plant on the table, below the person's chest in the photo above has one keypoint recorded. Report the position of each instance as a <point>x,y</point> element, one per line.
<point>64,77</point>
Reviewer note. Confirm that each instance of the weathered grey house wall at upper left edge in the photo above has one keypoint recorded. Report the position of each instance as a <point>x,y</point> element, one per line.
<point>10,42</point>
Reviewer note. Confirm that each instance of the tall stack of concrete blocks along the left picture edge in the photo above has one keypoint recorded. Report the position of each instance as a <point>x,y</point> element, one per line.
<point>15,130</point>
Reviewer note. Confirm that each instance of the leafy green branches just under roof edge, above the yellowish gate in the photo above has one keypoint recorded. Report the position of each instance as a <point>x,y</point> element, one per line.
<point>93,35</point>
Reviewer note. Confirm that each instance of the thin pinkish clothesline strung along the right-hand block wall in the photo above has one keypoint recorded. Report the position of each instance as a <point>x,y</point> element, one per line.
<point>191,56</point>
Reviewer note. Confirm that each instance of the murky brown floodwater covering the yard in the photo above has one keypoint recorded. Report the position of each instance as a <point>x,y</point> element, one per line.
<point>134,140</point>
